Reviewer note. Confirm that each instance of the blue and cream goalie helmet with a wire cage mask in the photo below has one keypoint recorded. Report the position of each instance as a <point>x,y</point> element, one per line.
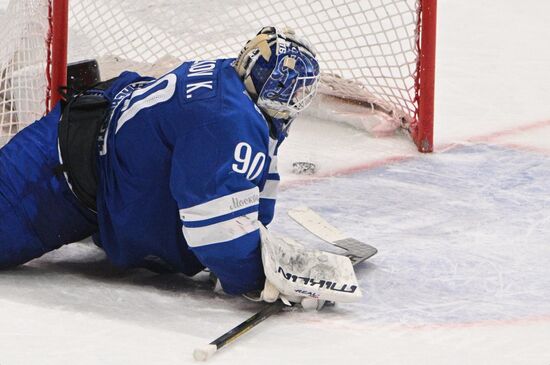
<point>280,72</point>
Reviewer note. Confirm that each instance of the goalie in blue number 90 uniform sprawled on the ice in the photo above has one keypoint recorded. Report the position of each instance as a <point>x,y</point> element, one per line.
<point>177,173</point>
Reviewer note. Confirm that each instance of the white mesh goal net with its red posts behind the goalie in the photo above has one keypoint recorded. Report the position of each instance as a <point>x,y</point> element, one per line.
<point>377,53</point>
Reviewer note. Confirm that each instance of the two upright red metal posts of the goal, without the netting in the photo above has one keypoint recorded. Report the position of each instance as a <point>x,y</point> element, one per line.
<point>421,129</point>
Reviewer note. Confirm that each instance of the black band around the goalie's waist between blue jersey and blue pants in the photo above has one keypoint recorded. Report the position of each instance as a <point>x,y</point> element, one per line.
<point>81,121</point>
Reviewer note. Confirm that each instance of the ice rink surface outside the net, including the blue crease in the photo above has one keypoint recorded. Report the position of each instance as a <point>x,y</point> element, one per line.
<point>463,270</point>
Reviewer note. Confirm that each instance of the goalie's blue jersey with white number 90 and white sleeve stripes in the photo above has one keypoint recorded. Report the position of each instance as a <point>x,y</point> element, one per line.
<point>187,174</point>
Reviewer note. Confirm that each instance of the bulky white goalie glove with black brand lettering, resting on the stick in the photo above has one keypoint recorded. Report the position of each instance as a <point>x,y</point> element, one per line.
<point>309,277</point>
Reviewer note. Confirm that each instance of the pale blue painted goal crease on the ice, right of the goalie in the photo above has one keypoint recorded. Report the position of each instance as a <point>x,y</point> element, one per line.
<point>468,244</point>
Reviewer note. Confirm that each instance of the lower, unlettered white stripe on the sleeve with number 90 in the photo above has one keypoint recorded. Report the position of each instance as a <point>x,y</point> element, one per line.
<point>222,231</point>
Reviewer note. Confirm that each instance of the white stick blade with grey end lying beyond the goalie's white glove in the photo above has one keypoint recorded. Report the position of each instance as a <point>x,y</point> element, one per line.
<point>356,250</point>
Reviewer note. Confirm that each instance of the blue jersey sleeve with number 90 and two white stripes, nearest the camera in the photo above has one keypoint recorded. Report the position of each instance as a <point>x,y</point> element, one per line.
<point>215,178</point>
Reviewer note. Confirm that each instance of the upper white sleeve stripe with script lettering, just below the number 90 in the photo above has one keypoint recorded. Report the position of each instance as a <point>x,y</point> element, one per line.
<point>221,206</point>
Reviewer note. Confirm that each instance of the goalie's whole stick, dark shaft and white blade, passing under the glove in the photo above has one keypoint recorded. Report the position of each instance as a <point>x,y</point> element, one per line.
<point>357,252</point>
